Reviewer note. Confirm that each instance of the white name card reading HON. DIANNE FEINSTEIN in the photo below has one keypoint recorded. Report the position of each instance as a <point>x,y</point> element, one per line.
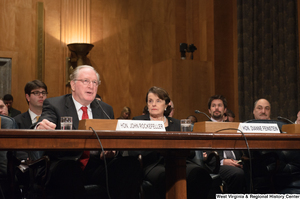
<point>259,128</point>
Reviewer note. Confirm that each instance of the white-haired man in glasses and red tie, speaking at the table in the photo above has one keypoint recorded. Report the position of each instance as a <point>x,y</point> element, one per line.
<point>70,171</point>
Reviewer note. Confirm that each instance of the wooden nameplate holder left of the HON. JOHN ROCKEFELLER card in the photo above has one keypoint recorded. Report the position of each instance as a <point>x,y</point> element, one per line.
<point>98,124</point>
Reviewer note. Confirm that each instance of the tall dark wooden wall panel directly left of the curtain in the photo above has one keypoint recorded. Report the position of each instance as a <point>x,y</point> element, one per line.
<point>225,51</point>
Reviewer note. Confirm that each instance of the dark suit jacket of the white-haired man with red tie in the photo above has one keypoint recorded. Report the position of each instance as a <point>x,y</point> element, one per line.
<point>57,107</point>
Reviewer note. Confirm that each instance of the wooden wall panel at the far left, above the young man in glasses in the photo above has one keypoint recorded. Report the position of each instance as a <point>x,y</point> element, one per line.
<point>18,43</point>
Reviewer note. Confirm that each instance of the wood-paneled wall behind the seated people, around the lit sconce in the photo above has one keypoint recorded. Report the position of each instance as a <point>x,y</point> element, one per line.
<point>131,38</point>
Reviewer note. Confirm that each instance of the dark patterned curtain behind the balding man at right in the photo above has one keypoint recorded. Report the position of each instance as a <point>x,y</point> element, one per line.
<point>268,65</point>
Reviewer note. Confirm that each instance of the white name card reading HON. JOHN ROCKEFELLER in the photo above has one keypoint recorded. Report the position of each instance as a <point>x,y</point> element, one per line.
<point>140,125</point>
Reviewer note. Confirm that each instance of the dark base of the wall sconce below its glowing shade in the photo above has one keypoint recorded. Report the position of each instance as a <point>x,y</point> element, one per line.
<point>79,51</point>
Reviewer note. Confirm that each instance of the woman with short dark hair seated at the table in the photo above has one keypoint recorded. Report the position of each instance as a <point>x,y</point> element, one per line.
<point>198,179</point>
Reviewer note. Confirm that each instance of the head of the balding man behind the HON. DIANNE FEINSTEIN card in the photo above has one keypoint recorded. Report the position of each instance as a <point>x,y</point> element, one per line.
<point>262,110</point>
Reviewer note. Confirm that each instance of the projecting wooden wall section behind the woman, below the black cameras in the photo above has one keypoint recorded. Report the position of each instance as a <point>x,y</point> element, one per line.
<point>184,81</point>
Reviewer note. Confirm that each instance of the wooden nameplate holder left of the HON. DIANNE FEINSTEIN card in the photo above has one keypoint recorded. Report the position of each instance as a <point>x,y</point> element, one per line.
<point>215,126</point>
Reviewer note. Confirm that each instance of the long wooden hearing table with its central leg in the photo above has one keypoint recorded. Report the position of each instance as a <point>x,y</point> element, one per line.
<point>173,145</point>
